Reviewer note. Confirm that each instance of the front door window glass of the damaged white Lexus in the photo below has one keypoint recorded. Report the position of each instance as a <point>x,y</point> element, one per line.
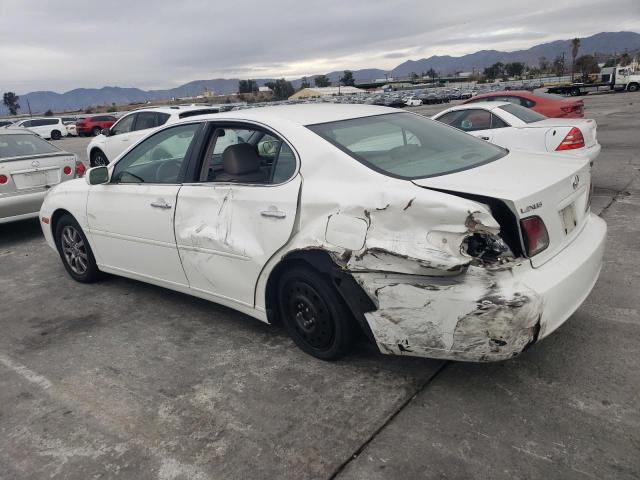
<point>158,159</point>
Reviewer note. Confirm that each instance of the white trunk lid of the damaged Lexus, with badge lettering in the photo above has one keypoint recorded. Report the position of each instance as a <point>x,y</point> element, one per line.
<point>555,188</point>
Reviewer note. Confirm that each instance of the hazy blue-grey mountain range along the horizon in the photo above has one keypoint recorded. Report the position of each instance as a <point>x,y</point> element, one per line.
<point>602,43</point>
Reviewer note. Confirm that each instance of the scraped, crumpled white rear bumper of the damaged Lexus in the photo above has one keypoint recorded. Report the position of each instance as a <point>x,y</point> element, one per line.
<point>483,315</point>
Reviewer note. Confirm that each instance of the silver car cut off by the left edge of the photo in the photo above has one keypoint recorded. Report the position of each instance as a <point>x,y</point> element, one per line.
<point>29,166</point>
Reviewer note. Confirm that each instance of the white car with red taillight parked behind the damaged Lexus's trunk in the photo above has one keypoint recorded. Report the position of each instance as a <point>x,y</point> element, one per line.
<point>515,127</point>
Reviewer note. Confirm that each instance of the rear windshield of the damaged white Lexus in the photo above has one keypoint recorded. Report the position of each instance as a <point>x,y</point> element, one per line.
<point>408,146</point>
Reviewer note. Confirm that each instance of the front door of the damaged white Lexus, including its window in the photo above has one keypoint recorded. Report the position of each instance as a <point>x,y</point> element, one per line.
<point>131,218</point>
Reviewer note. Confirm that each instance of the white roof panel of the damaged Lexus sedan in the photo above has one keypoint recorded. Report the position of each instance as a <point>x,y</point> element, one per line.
<point>302,114</point>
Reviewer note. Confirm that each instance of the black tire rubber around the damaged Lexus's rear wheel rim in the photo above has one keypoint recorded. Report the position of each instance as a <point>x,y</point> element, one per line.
<point>340,315</point>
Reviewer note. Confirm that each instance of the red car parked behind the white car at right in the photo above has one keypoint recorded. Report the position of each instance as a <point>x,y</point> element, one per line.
<point>552,106</point>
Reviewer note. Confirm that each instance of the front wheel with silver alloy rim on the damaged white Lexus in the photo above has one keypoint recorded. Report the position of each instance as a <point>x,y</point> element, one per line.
<point>75,251</point>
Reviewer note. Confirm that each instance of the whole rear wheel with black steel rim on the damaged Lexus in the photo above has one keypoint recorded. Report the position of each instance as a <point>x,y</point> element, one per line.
<point>314,315</point>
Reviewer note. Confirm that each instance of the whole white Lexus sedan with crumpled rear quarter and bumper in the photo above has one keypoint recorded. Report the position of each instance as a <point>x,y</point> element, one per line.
<point>333,218</point>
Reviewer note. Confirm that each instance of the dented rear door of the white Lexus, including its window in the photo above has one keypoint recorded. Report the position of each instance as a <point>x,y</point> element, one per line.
<point>230,223</point>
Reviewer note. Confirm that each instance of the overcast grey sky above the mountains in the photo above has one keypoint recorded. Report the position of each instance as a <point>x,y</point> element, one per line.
<point>60,45</point>
